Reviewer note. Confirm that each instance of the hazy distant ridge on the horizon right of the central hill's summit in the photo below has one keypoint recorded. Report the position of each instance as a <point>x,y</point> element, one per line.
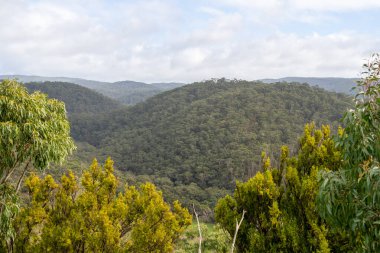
<point>336,84</point>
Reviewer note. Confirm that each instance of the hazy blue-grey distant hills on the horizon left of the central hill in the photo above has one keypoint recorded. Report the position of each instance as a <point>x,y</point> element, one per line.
<point>126,92</point>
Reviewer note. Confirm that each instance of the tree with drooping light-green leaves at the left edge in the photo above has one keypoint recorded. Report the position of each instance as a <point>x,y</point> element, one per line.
<point>34,132</point>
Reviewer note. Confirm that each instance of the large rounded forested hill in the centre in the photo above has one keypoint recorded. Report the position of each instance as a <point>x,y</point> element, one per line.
<point>197,139</point>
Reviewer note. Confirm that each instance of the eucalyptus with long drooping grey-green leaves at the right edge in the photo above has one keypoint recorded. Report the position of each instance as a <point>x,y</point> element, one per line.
<point>349,198</point>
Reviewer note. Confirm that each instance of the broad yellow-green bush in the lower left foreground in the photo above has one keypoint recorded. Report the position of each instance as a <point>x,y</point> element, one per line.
<point>92,217</point>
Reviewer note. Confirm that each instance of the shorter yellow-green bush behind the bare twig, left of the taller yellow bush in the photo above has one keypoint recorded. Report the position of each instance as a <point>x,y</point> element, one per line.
<point>260,194</point>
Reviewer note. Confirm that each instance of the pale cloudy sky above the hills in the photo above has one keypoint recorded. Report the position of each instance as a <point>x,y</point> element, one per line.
<point>188,40</point>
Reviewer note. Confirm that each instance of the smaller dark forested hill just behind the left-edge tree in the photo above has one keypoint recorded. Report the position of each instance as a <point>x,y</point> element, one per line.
<point>77,99</point>
